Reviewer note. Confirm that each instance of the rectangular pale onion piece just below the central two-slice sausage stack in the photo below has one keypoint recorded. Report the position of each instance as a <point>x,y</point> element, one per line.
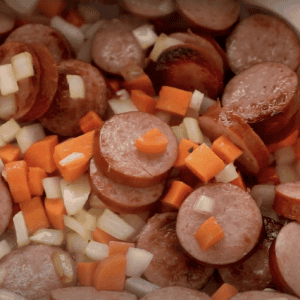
<point>112,224</point>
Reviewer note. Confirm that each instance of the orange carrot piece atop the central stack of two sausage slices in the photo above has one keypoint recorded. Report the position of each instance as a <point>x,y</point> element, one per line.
<point>152,142</point>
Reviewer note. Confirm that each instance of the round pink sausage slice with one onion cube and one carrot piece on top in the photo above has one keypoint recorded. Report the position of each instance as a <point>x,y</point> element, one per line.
<point>234,210</point>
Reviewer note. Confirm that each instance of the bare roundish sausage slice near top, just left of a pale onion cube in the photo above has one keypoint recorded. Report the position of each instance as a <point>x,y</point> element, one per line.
<point>114,46</point>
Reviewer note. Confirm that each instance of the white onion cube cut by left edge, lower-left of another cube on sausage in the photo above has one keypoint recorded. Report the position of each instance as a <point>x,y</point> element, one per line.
<point>8,82</point>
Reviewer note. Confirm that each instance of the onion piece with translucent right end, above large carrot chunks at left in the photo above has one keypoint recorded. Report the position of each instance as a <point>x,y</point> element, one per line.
<point>29,135</point>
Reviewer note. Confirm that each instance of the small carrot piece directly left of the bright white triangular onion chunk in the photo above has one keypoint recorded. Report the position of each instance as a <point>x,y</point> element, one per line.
<point>55,210</point>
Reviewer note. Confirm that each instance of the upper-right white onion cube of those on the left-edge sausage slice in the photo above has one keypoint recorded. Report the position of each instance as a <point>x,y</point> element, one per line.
<point>22,65</point>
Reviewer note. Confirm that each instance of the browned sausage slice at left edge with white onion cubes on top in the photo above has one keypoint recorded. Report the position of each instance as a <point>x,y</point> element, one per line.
<point>28,87</point>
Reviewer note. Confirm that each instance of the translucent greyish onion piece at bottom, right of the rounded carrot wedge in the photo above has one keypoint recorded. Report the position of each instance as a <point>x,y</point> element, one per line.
<point>139,287</point>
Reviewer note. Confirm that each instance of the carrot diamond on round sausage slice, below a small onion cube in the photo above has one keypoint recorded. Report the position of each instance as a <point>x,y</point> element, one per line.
<point>209,233</point>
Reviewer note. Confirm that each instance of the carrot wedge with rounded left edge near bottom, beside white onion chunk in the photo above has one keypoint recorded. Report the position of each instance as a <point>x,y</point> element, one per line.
<point>110,273</point>
